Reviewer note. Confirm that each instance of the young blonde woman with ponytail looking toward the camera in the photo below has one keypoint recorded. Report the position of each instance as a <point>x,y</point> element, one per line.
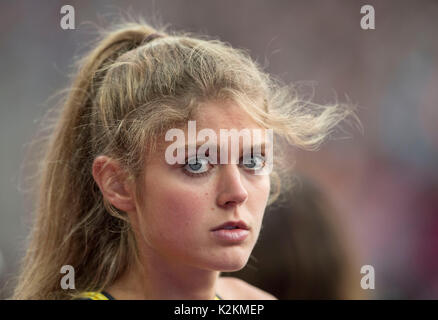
<point>133,225</point>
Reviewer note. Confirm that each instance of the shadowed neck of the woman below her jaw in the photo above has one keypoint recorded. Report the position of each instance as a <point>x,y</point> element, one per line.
<point>156,278</point>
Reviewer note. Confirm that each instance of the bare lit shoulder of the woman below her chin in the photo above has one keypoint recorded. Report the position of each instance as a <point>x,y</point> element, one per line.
<point>237,289</point>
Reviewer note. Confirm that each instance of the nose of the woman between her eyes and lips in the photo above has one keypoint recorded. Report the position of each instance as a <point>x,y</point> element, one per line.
<point>231,190</point>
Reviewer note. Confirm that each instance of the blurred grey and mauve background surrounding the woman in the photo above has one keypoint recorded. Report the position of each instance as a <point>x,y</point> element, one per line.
<point>371,199</point>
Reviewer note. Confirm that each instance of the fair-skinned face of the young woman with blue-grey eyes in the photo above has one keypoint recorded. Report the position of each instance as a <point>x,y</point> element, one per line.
<point>182,203</point>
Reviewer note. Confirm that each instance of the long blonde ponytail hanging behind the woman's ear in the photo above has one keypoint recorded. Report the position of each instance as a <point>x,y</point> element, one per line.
<point>72,225</point>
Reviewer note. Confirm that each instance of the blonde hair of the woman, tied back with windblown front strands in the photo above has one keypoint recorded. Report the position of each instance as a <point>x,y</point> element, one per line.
<point>128,91</point>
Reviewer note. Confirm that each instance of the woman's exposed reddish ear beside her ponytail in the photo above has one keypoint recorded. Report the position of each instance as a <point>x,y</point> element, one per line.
<point>112,182</point>
